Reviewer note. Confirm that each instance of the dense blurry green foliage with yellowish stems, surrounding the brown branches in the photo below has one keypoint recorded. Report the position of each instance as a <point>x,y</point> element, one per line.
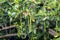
<point>32,17</point>
